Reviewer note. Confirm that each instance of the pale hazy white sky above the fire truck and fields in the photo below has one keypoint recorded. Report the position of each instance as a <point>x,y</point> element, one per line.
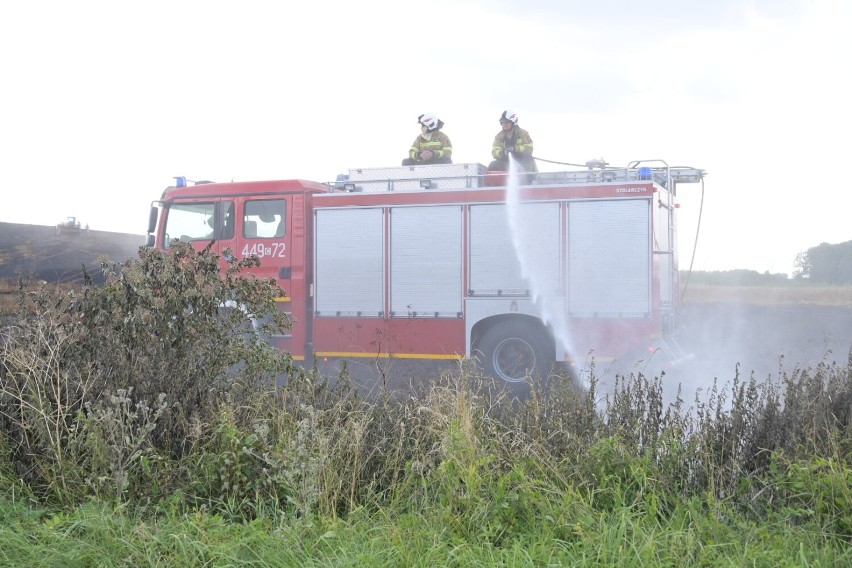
<point>103,101</point>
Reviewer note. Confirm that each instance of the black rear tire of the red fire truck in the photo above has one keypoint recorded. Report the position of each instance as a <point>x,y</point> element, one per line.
<point>515,352</point>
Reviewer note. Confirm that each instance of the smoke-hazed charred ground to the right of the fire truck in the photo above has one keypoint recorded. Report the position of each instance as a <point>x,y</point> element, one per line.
<point>763,332</point>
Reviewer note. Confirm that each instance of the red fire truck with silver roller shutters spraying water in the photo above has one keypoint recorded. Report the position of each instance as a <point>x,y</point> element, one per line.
<point>443,262</point>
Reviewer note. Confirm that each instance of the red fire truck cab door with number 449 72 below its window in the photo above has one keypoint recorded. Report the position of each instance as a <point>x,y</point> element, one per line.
<point>266,232</point>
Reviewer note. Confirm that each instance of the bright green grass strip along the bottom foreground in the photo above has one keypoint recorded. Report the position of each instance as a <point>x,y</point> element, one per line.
<point>695,534</point>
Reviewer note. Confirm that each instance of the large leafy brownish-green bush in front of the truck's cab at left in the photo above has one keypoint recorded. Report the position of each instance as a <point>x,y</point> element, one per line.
<point>90,364</point>
